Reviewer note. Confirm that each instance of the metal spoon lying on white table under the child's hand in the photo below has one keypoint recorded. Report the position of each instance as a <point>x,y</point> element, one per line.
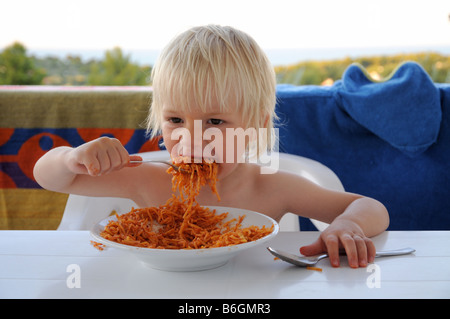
<point>311,261</point>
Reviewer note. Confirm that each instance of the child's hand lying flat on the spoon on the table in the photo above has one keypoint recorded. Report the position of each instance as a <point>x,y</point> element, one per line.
<point>347,235</point>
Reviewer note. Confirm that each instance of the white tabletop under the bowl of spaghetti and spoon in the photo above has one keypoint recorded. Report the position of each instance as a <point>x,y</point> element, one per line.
<point>51,264</point>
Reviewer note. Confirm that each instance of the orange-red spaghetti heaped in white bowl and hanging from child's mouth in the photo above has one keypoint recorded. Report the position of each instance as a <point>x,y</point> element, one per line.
<point>181,223</point>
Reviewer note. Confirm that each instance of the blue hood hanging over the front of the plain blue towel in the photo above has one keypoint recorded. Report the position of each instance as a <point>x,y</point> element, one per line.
<point>404,110</point>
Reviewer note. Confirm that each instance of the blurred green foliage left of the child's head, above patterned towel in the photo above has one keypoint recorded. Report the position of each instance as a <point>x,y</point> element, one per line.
<point>17,68</point>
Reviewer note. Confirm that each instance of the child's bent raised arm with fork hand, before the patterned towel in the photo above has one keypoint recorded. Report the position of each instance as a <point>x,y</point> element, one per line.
<point>96,168</point>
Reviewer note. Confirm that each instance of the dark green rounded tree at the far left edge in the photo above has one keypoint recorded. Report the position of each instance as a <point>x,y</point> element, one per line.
<point>17,68</point>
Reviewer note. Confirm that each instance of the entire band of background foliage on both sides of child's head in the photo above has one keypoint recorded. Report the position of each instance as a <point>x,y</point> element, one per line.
<point>116,68</point>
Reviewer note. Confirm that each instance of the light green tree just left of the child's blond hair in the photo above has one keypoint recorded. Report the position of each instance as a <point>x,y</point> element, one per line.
<point>117,69</point>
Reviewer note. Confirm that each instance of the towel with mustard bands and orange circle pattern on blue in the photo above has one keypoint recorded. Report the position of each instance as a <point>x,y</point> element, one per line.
<point>34,120</point>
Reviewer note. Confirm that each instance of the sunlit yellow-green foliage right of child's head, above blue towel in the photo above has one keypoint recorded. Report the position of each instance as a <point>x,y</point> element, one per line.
<point>380,67</point>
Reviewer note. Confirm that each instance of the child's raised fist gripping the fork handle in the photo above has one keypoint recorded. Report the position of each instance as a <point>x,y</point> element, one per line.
<point>98,157</point>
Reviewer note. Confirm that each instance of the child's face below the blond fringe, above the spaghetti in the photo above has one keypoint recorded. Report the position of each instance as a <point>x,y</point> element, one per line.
<point>214,135</point>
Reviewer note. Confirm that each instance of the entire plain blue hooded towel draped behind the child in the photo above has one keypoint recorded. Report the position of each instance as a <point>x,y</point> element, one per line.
<point>389,140</point>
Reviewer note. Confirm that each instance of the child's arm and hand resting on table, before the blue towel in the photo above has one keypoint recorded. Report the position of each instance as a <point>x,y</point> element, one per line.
<point>353,219</point>
